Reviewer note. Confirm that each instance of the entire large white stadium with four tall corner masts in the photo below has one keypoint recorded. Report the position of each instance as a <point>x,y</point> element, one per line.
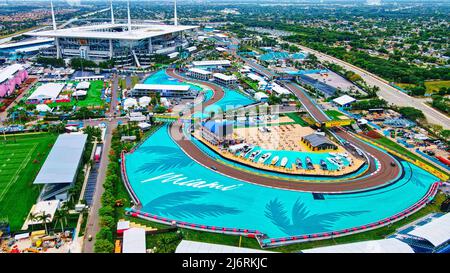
<point>128,44</point>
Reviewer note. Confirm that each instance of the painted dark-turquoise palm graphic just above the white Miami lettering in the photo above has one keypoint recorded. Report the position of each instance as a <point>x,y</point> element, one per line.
<point>168,158</point>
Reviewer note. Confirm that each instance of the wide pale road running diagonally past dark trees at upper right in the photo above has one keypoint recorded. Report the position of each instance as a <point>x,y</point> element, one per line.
<point>386,92</point>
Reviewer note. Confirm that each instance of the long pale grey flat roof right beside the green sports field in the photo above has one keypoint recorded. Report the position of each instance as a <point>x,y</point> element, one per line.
<point>62,163</point>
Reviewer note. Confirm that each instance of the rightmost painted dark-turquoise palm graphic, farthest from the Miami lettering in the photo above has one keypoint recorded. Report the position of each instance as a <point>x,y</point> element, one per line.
<point>302,221</point>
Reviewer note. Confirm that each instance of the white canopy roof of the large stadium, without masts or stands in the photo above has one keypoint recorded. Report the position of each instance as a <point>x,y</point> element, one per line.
<point>113,31</point>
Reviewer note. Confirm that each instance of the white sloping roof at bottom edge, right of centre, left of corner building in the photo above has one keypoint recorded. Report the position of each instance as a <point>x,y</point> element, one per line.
<point>390,245</point>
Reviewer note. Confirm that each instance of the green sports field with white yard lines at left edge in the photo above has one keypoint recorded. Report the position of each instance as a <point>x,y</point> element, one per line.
<point>21,156</point>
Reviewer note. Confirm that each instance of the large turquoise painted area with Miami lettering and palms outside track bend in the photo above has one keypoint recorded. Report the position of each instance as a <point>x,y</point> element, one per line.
<point>170,184</point>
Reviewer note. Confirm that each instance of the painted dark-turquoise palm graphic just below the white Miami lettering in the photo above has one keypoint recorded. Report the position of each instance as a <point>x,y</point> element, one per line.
<point>181,205</point>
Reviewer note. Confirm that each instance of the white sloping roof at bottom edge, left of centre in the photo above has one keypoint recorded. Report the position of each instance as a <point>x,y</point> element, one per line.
<point>186,246</point>
